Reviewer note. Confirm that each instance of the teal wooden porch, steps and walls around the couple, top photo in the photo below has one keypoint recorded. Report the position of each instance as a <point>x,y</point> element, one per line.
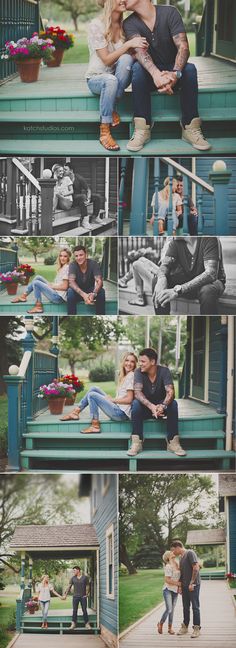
<point>34,120</point>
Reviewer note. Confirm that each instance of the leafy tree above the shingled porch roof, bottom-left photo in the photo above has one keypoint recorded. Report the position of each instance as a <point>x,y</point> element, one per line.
<point>27,500</point>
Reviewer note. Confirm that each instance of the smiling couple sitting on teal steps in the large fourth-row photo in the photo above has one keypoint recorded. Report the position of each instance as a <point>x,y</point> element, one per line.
<point>144,392</point>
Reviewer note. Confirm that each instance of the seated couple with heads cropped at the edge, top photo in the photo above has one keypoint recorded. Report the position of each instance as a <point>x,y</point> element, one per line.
<point>150,50</point>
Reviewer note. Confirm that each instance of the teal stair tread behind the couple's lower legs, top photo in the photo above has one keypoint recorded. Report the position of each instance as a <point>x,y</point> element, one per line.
<point>86,116</point>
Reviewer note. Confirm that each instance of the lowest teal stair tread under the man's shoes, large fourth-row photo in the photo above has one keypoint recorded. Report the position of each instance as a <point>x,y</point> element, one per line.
<point>122,454</point>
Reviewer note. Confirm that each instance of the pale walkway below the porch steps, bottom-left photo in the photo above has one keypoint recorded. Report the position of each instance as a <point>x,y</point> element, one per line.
<point>58,641</point>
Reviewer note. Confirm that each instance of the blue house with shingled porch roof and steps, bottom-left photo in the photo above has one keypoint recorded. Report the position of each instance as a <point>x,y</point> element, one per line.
<point>96,543</point>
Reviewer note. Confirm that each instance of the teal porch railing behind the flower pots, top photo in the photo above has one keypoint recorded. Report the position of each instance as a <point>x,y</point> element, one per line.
<point>18,18</point>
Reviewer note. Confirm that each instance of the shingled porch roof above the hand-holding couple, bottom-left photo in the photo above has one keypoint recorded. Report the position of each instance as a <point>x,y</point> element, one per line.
<point>62,536</point>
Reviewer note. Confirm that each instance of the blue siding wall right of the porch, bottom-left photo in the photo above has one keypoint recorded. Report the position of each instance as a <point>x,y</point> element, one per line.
<point>106,514</point>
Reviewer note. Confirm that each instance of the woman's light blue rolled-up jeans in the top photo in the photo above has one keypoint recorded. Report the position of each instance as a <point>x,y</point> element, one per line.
<point>110,86</point>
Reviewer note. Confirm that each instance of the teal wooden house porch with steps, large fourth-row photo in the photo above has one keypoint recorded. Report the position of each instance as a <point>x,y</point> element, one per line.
<point>38,441</point>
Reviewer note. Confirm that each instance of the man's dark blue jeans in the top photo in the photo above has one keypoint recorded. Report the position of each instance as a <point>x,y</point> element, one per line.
<point>143,85</point>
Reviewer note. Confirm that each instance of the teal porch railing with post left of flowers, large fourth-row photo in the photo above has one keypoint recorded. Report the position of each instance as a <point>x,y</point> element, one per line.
<point>36,368</point>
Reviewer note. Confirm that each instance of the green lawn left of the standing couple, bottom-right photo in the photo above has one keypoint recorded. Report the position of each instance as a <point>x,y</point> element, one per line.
<point>139,594</point>
